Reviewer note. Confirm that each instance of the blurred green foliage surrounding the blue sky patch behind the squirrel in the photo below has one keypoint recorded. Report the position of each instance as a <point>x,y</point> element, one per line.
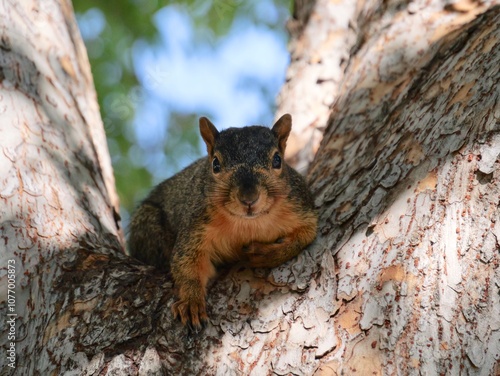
<point>120,93</point>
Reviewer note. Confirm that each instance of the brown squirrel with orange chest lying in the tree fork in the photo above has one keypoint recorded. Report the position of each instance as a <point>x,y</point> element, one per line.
<point>241,203</point>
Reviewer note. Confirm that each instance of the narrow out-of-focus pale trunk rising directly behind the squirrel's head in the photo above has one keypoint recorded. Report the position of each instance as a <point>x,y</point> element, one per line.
<point>322,35</point>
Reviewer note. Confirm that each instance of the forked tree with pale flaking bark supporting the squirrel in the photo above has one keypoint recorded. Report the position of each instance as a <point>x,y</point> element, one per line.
<point>403,278</point>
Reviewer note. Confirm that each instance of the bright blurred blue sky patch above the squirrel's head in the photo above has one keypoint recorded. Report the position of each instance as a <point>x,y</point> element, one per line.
<point>222,80</point>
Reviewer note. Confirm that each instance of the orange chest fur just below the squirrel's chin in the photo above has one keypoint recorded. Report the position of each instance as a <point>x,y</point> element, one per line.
<point>226,235</point>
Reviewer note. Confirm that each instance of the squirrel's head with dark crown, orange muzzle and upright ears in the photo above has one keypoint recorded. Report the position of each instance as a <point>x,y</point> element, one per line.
<point>247,166</point>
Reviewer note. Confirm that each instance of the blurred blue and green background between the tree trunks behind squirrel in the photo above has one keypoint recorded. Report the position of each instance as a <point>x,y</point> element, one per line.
<point>160,65</point>
